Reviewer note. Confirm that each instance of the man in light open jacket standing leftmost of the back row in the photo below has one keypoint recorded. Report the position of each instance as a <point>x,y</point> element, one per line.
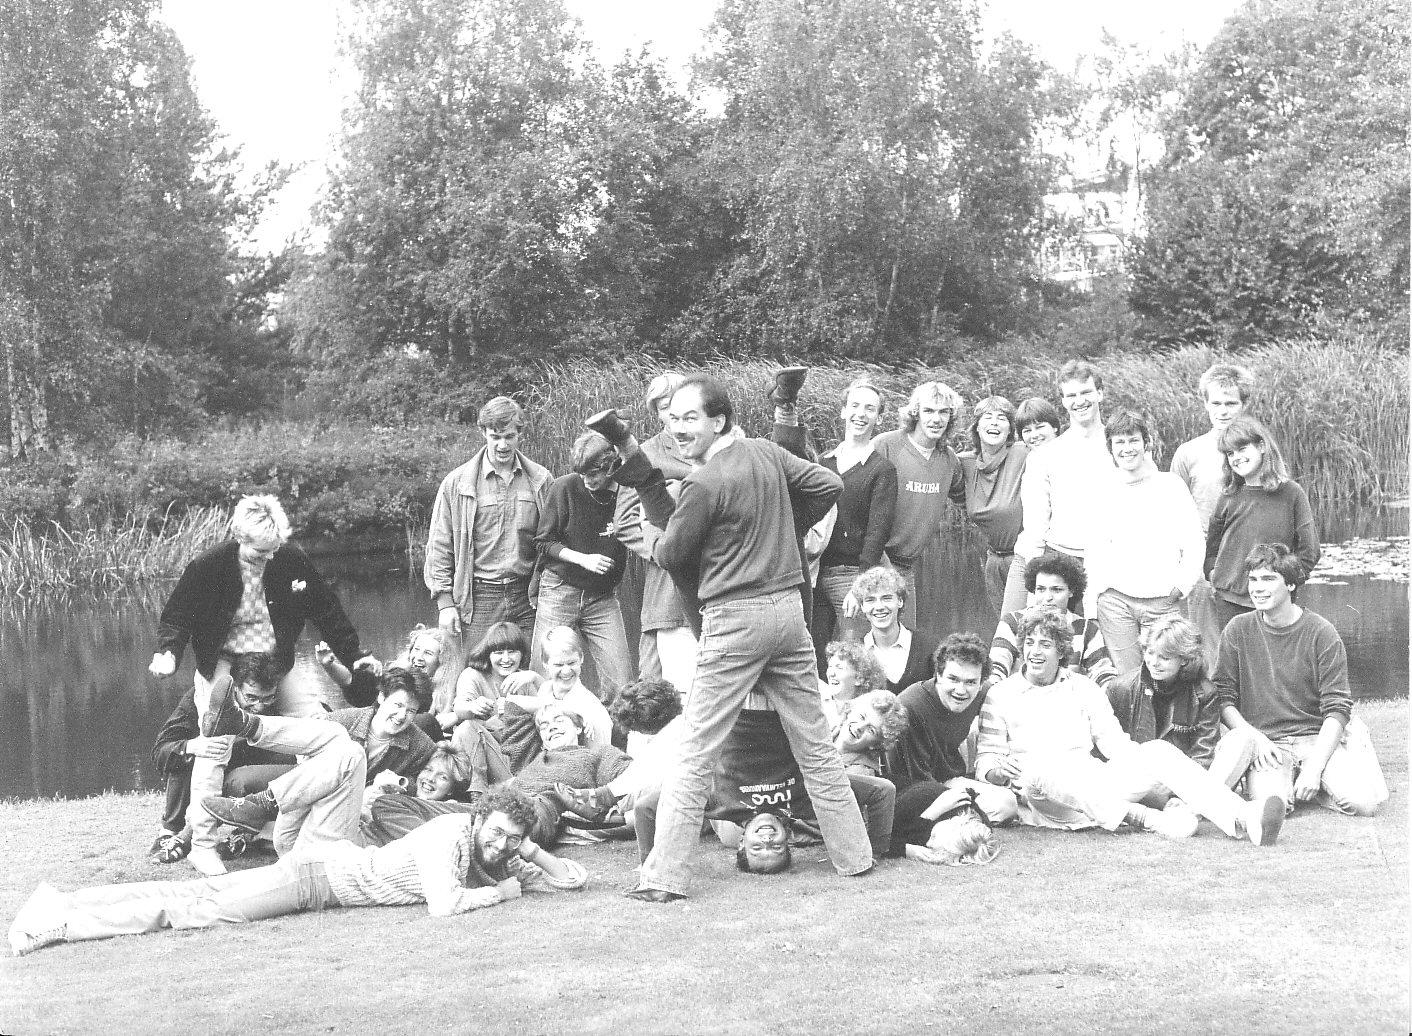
<point>481,546</point>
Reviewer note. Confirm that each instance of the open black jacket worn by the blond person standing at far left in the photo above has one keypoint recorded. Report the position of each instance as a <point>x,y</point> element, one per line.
<point>205,599</point>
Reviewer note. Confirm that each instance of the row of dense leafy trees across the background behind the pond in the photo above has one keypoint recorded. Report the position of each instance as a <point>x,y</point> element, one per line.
<point>842,180</point>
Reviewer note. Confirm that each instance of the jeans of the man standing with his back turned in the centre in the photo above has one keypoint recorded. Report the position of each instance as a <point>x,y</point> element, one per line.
<point>755,644</point>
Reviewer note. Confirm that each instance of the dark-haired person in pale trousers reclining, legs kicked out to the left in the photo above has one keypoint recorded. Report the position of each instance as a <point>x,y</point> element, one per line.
<point>351,745</point>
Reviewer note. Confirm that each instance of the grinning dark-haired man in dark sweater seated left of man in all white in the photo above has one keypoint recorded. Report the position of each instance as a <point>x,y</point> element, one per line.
<point>933,752</point>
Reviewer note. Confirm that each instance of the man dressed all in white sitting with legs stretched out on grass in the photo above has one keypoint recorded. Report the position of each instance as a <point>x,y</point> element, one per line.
<point>1039,733</point>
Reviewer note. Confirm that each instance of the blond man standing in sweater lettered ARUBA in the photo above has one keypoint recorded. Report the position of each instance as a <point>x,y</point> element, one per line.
<point>928,475</point>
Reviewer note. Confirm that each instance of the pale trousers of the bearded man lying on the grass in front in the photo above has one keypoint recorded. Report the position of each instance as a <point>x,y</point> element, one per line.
<point>136,908</point>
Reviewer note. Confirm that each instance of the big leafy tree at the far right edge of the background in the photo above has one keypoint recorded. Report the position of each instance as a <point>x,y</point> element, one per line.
<point>1283,205</point>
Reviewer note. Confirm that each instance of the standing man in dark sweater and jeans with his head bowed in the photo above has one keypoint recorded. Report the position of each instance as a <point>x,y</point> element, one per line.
<point>582,560</point>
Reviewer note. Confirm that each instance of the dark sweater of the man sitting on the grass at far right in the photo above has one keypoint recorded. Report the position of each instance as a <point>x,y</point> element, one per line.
<point>1286,682</point>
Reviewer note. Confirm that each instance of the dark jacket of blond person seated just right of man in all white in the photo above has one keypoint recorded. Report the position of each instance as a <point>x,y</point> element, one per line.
<point>1183,715</point>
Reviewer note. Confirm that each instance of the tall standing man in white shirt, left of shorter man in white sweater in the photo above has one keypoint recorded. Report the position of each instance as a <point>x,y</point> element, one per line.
<point>1063,481</point>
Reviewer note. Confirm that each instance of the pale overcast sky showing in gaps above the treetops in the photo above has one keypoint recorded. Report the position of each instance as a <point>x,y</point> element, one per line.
<point>269,70</point>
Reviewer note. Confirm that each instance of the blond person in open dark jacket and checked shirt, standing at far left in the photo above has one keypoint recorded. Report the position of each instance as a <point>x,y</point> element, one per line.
<point>252,594</point>
